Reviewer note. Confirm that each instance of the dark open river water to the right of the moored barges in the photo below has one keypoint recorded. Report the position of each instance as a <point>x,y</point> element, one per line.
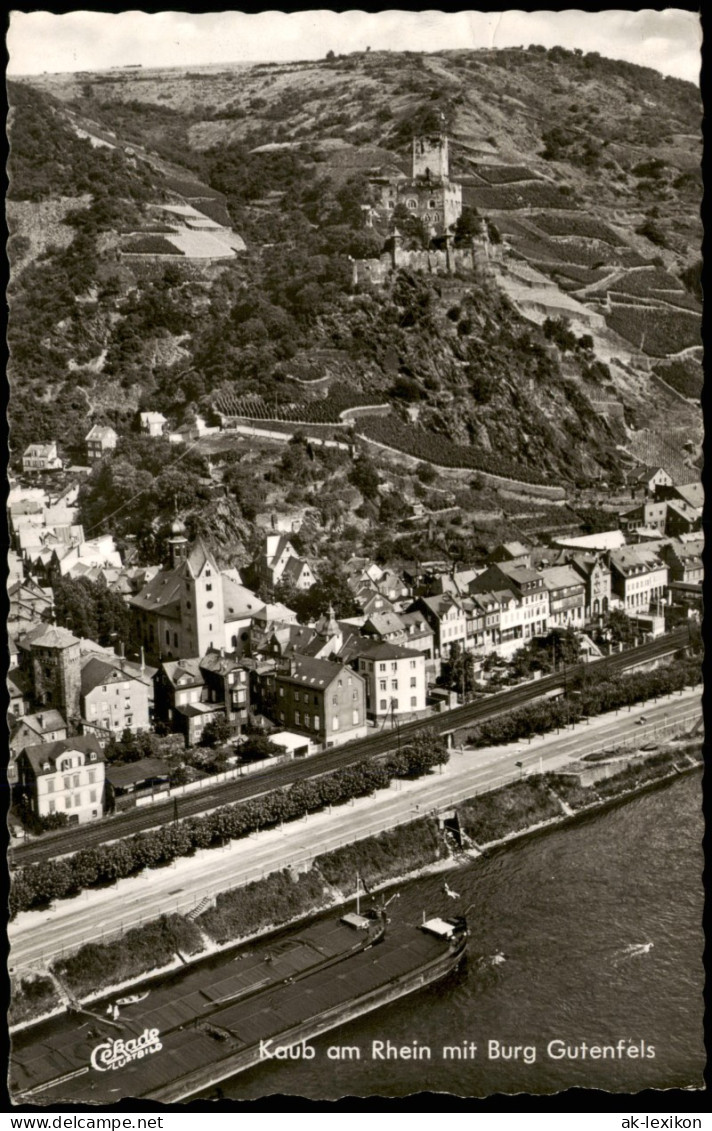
<point>600,925</point>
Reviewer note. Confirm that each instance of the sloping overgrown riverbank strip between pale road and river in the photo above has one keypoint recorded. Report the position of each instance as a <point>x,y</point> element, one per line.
<point>493,819</point>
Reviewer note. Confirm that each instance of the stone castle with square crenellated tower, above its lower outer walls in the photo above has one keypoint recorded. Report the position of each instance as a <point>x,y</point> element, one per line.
<point>429,193</point>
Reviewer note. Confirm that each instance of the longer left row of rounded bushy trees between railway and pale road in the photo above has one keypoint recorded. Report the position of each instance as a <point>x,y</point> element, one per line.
<point>38,885</point>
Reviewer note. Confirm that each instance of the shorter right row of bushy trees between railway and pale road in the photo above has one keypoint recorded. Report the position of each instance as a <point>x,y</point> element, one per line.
<point>598,695</point>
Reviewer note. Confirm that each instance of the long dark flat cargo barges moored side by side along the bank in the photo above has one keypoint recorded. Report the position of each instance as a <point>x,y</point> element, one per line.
<point>207,1024</point>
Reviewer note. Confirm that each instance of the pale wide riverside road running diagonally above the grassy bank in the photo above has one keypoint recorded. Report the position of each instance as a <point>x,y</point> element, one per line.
<point>37,937</point>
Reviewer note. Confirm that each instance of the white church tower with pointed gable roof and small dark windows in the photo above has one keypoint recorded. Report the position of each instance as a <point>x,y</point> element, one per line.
<point>203,617</point>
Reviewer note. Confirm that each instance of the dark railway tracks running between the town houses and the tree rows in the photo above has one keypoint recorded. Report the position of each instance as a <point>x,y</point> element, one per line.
<point>124,825</point>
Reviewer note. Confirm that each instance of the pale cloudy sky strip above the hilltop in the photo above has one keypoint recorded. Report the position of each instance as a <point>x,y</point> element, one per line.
<point>40,41</point>
